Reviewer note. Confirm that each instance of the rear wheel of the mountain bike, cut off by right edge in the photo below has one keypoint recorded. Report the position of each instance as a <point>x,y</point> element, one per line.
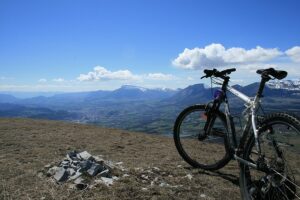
<point>279,139</point>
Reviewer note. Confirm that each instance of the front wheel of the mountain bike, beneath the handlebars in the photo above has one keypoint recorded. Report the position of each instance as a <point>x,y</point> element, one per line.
<point>207,150</point>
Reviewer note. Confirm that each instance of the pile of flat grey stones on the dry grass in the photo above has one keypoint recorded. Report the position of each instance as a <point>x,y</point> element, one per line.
<point>81,169</point>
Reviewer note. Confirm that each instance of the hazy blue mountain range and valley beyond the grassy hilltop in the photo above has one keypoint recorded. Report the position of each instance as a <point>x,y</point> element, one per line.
<point>135,108</point>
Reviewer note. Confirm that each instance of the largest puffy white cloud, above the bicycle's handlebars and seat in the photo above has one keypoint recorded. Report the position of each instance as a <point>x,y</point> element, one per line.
<point>215,55</point>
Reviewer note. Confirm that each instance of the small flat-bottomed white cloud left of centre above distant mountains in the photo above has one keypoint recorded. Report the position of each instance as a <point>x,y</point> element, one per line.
<point>101,73</point>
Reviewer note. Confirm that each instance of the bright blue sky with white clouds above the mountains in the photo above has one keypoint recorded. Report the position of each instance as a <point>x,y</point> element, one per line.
<point>76,45</point>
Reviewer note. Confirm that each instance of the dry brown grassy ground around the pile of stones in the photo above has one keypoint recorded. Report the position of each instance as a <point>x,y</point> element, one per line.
<point>151,167</point>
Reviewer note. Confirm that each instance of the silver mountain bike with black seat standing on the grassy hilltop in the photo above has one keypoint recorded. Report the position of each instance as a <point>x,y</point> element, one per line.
<point>267,147</point>
